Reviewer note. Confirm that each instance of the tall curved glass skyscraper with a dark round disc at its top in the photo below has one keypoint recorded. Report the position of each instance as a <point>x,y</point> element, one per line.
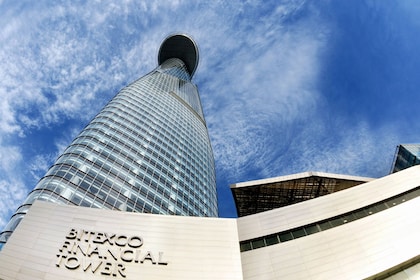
<point>148,149</point>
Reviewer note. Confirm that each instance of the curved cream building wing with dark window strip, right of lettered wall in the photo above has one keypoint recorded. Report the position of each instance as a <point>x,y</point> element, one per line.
<point>368,231</point>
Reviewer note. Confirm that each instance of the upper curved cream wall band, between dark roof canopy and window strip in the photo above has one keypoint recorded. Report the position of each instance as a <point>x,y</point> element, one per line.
<point>329,205</point>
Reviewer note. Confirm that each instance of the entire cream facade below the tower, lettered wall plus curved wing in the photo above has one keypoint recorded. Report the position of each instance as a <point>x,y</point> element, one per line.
<point>369,231</point>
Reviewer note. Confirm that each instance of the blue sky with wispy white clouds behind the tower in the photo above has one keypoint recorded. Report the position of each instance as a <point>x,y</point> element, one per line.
<point>286,86</point>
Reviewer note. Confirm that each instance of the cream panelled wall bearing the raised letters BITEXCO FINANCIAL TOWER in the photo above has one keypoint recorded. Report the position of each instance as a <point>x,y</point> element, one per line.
<point>105,244</point>
